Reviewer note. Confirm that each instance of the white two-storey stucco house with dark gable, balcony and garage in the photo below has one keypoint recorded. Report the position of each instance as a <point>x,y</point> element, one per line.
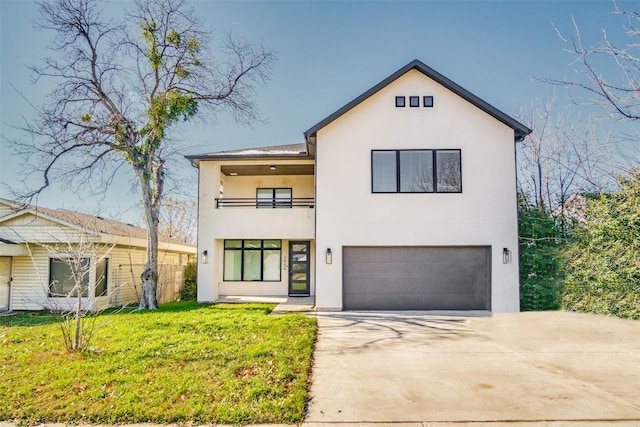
<point>403,199</point>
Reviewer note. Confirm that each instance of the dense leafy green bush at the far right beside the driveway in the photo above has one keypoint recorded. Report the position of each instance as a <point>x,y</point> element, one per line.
<point>603,260</point>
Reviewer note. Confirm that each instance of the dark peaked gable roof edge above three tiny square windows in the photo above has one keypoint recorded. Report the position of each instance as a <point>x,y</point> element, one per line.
<point>520,130</point>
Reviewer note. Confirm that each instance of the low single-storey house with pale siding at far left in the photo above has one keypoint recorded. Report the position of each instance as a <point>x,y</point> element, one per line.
<point>35,242</point>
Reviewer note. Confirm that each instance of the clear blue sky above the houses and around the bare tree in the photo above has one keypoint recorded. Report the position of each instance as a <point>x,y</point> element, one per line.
<point>329,52</point>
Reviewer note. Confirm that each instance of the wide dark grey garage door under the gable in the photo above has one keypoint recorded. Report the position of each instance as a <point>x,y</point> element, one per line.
<point>417,278</point>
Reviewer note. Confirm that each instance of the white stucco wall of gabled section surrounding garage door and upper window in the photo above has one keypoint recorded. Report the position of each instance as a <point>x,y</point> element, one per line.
<point>348,213</point>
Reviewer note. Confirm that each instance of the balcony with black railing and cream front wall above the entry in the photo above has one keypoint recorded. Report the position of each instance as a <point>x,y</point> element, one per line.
<point>252,218</point>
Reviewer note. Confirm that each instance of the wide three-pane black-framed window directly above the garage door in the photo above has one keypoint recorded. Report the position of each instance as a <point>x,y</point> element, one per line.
<point>416,171</point>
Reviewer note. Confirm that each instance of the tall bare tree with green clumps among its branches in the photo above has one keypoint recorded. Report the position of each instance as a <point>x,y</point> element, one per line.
<point>121,86</point>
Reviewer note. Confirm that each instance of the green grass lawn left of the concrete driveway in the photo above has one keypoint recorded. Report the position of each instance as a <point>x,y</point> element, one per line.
<point>229,364</point>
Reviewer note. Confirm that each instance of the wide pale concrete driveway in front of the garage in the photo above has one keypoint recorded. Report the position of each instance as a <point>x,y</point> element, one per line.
<point>551,368</point>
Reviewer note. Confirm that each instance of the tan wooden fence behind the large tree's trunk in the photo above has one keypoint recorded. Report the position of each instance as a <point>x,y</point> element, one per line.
<point>128,287</point>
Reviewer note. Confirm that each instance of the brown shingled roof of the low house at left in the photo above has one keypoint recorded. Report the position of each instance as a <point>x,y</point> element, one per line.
<point>88,223</point>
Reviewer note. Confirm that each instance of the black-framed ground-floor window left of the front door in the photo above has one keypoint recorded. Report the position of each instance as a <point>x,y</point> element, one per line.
<point>252,260</point>
